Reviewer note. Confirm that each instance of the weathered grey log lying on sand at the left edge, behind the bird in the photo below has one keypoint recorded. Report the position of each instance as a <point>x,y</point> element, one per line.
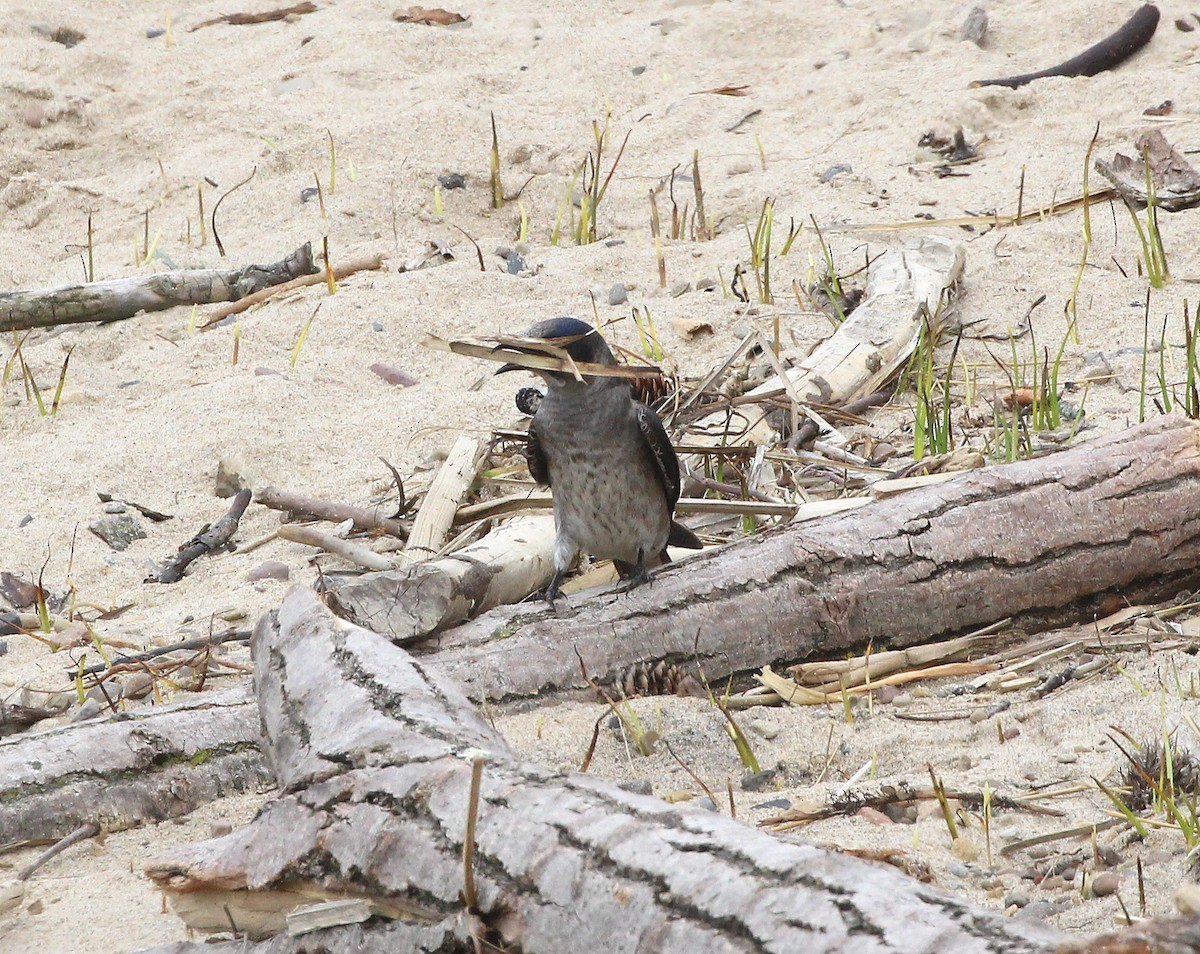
<point>124,298</point>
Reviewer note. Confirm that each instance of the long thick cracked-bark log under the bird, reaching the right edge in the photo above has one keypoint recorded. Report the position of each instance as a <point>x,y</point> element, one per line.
<point>1039,541</point>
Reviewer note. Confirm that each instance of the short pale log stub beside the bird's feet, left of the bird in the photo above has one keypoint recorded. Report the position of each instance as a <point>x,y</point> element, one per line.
<point>505,567</point>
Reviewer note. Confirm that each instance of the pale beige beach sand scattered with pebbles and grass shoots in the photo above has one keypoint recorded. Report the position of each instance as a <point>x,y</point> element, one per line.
<point>124,127</point>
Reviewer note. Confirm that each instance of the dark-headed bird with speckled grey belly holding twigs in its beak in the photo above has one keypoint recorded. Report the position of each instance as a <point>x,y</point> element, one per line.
<point>608,460</point>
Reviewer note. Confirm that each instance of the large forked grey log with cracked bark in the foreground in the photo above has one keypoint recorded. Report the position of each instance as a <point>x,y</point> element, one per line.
<point>374,752</point>
